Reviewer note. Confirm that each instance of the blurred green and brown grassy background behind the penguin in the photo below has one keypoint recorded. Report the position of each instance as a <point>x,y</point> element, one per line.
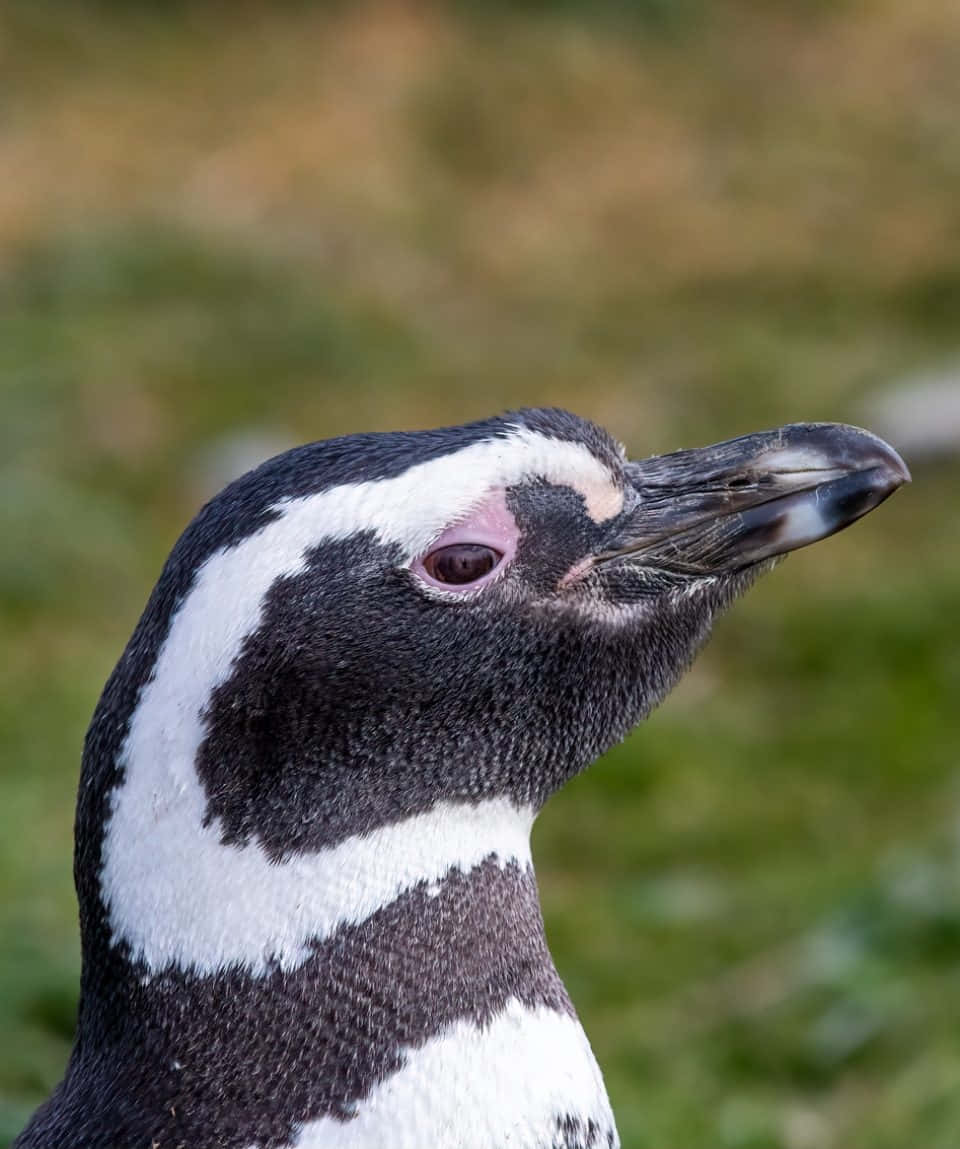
<point>229,228</point>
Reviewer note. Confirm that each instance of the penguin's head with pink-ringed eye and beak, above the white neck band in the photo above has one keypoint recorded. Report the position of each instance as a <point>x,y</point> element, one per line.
<point>368,626</point>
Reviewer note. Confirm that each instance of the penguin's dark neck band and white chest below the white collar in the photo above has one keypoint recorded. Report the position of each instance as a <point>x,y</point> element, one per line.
<point>443,1000</point>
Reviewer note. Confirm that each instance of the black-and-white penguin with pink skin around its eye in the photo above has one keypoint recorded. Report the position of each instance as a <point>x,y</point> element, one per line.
<point>308,911</point>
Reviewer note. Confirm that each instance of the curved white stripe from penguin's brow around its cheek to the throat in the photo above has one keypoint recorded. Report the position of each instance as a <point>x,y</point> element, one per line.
<point>174,892</point>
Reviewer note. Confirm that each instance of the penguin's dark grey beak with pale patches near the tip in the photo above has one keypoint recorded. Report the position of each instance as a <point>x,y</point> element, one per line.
<point>722,508</point>
